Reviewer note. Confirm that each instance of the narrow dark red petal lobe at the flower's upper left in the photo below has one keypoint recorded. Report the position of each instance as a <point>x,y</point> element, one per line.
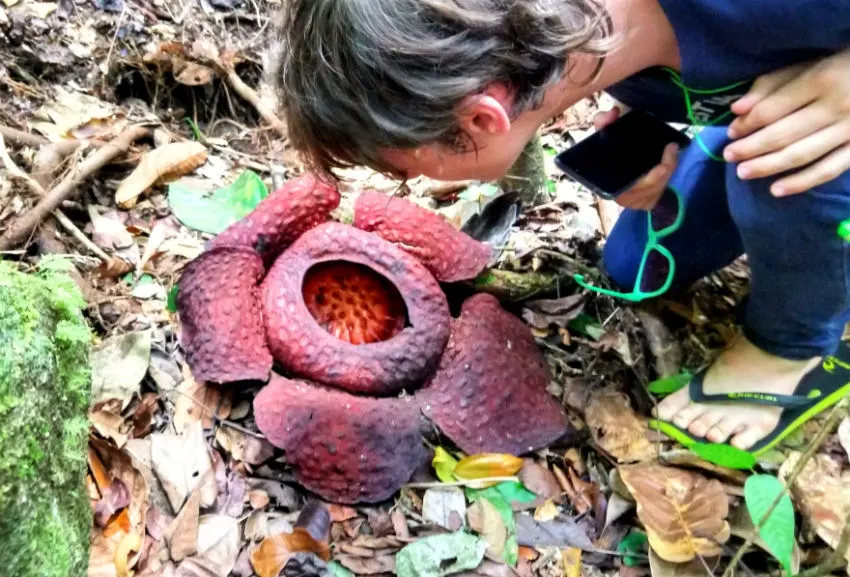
<point>296,207</point>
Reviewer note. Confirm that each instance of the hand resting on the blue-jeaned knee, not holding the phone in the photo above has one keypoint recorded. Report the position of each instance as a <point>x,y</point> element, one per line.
<point>797,117</point>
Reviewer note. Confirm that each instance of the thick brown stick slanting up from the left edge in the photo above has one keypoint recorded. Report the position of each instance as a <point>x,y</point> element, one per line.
<point>26,224</point>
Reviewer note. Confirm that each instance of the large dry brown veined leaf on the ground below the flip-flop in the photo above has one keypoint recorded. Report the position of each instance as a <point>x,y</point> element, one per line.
<point>684,512</point>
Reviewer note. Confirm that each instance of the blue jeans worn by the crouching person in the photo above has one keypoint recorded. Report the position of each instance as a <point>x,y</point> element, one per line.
<point>799,301</point>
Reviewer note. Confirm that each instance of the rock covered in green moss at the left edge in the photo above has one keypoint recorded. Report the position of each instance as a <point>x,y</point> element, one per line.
<point>45,385</point>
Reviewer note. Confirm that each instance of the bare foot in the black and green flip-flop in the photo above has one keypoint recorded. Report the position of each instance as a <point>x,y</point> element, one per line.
<point>741,368</point>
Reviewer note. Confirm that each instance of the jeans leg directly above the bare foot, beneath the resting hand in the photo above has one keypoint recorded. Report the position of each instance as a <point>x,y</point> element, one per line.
<point>799,301</point>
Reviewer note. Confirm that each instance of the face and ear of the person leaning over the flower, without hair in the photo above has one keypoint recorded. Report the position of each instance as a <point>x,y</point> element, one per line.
<point>494,143</point>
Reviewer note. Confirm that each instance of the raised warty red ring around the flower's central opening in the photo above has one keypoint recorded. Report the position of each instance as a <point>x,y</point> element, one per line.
<point>305,348</point>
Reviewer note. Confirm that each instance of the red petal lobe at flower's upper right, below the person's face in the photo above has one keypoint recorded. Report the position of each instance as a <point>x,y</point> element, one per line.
<point>449,254</point>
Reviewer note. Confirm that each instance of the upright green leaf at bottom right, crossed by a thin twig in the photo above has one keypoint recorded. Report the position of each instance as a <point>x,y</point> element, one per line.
<point>777,532</point>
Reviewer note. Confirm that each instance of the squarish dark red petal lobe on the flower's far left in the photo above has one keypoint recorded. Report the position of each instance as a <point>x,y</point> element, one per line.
<point>218,299</point>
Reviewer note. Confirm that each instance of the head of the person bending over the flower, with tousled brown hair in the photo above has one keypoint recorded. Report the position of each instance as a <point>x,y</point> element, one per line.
<point>444,88</point>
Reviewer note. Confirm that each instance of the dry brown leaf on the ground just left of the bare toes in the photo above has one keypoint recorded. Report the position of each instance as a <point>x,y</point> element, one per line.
<point>616,428</point>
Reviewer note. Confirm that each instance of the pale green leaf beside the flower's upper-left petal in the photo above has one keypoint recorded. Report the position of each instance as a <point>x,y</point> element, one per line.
<point>214,213</point>
